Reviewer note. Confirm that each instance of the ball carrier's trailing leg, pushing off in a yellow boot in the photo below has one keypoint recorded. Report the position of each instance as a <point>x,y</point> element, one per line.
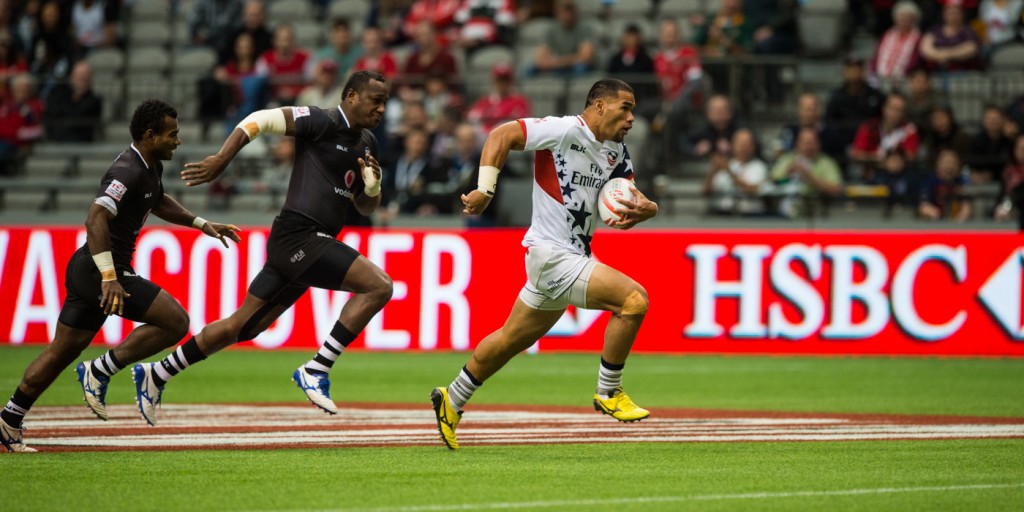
<point>524,327</point>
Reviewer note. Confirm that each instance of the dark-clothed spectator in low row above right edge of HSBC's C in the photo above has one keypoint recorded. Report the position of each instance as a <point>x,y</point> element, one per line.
<point>943,194</point>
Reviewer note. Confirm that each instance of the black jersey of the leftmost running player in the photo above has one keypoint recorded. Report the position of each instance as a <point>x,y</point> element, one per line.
<point>130,190</point>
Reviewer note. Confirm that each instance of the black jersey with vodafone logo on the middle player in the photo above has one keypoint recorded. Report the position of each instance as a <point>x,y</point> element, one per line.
<point>327,175</point>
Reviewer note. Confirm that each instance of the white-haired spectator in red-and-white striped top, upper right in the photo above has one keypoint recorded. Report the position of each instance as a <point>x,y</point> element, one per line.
<point>898,54</point>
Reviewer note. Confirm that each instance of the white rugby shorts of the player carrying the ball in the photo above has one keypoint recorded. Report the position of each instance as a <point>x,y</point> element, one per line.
<point>556,279</point>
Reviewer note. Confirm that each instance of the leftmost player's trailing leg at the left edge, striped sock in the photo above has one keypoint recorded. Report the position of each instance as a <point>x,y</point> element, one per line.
<point>67,347</point>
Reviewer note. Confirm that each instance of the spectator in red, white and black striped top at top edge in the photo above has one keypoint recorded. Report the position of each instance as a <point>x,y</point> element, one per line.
<point>484,23</point>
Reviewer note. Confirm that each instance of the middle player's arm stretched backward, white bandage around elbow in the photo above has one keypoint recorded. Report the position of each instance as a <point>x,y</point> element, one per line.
<point>279,121</point>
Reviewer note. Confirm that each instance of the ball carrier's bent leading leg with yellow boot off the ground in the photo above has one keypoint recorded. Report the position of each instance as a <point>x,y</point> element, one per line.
<point>614,291</point>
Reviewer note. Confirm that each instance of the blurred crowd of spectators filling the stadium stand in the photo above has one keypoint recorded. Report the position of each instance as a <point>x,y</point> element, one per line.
<point>887,125</point>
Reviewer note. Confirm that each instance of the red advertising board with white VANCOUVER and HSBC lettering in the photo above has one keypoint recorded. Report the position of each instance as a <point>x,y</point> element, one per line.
<point>899,293</point>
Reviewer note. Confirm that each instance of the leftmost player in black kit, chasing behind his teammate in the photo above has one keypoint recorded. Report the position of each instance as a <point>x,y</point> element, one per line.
<point>101,281</point>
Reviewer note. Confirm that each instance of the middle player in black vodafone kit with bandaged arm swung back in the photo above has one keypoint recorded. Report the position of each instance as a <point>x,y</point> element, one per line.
<point>335,172</point>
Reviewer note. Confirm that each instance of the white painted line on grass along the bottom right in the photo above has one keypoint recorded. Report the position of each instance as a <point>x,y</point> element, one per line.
<point>679,499</point>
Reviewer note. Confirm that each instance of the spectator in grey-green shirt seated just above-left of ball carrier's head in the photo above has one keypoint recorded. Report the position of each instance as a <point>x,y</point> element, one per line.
<point>569,49</point>
